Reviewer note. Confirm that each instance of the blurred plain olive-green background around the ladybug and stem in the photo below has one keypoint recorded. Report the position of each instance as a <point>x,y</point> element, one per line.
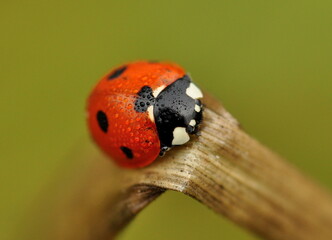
<point>269,62</point>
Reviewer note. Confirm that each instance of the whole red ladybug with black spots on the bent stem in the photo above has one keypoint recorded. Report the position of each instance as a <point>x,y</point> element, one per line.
<point>142,109</point>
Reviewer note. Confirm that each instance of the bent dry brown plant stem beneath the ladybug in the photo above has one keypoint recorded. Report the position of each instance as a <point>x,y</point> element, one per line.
<point>224,168</point>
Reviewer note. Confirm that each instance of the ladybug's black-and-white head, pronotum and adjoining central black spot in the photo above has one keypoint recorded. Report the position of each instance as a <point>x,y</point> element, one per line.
<point>176,110</point>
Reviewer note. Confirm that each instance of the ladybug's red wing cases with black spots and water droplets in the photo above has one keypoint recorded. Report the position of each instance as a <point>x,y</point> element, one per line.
<point>129,137</point>
